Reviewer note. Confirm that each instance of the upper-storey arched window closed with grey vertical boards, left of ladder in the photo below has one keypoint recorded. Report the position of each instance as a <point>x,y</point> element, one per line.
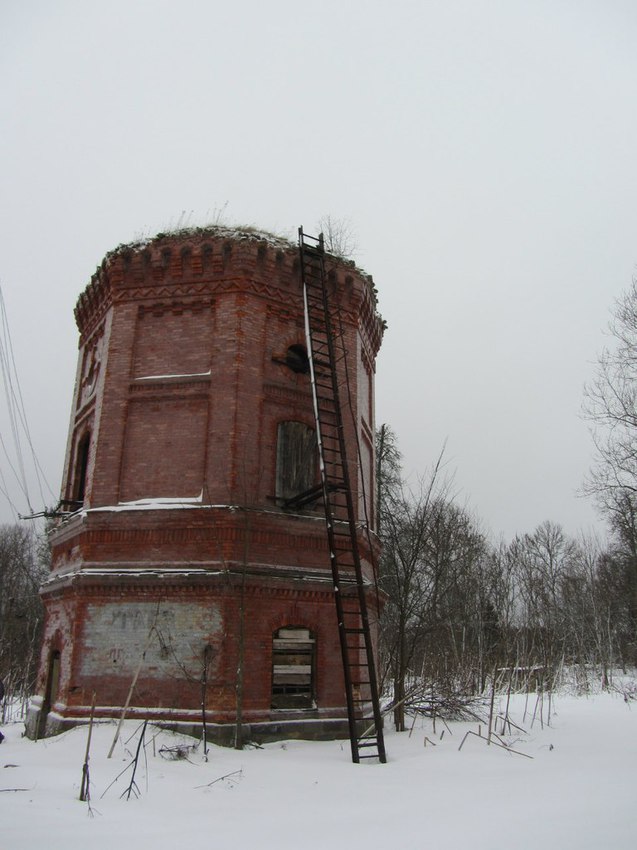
<point>295,459</point>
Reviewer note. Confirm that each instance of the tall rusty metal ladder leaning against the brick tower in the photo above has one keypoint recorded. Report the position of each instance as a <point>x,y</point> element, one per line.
<point>326,350</point>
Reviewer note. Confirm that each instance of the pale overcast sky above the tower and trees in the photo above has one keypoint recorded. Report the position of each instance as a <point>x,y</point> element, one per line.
<point>484,153</point>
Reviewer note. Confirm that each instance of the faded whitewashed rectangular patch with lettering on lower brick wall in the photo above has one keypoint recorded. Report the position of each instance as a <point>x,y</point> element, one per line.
<point>171,637</point>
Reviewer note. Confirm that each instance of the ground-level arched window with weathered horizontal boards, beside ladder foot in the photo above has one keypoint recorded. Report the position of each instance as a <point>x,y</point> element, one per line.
<point>293,668</point>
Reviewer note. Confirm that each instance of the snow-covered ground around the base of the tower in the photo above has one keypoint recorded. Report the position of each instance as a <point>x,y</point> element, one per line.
<point>577,790</point>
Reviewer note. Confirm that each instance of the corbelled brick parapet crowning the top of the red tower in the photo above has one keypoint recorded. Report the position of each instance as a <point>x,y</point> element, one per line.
<point>190,264</point>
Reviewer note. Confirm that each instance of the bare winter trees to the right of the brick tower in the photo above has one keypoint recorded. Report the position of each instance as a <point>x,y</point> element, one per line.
<point>461,611</point>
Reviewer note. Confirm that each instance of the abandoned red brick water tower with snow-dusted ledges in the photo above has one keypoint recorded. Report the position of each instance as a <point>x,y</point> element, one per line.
<point>191,572</point>
